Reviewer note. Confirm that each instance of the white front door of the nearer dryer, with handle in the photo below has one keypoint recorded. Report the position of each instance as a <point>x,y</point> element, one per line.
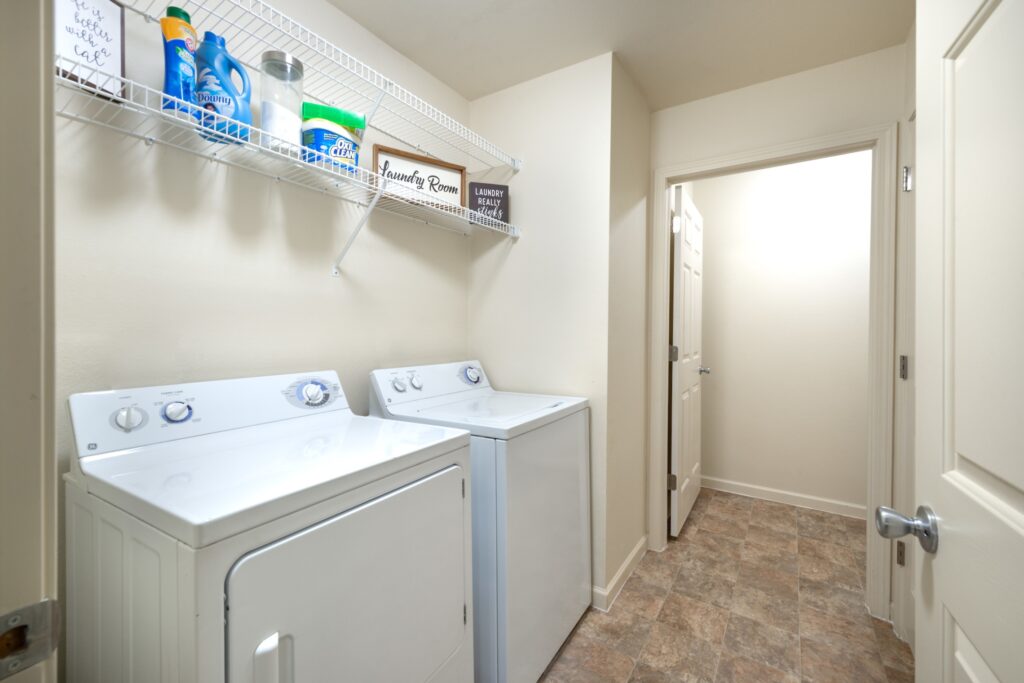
<point>378,593</point>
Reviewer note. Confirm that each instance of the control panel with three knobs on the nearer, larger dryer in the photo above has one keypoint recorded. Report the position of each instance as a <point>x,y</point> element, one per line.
<point>106,421</point>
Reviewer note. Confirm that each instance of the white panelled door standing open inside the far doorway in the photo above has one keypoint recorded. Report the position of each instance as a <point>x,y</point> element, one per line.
<point>688,286</point>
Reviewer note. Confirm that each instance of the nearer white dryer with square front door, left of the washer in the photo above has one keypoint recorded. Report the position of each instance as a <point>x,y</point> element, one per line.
<point>257,530</point>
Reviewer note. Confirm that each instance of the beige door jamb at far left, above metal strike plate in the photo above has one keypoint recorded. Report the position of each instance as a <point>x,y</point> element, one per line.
<point>28,478</point>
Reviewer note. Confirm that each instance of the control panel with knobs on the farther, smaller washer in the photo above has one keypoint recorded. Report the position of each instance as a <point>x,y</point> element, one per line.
<point>399,386</point>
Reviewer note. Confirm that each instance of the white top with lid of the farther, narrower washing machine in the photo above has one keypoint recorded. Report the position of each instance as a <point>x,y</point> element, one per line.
<point>495,414</point>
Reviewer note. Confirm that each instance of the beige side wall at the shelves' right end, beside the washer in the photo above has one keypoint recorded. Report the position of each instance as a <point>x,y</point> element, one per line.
<point>539,309</point>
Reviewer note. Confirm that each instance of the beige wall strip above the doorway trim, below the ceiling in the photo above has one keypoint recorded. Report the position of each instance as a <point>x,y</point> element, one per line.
<point>844,97</point>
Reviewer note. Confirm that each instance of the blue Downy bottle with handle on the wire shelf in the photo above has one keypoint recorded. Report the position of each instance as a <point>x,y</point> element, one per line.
<point>217,93</point>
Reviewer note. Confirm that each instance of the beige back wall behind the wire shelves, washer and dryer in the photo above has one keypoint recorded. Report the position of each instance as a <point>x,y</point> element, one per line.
<point>173,269</point>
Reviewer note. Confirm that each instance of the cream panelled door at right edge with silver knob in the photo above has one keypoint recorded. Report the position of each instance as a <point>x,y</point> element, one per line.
<point>970,416</point>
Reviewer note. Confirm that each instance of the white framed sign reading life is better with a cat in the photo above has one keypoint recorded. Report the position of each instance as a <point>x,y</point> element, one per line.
<point>92,32</point>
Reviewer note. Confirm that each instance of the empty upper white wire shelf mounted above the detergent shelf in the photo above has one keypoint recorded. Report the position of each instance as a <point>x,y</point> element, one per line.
<point>334,77</point>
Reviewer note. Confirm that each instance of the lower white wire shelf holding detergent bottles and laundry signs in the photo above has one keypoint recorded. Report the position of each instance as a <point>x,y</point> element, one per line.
<point>83,95</point>
